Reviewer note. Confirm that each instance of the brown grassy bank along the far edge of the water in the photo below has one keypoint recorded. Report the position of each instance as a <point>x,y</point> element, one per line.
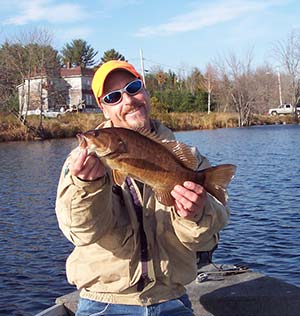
<point>69,125</point>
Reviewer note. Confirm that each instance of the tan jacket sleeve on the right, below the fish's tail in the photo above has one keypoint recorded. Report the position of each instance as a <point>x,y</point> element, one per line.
<point>201,233</point>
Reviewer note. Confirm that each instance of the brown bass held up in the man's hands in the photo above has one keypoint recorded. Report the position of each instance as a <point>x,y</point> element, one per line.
<point>144,156</point>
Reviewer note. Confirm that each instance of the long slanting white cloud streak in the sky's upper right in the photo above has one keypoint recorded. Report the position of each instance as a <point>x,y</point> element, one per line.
<point>203,16</point>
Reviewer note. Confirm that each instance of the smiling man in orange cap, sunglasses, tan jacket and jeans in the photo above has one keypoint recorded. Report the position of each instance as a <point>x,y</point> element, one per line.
<point>133,255</point>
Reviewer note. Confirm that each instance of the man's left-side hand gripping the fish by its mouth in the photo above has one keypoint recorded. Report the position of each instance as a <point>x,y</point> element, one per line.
<point>85,167</point>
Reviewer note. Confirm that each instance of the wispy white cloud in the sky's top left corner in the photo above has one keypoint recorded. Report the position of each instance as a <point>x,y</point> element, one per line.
<point>46,10</point>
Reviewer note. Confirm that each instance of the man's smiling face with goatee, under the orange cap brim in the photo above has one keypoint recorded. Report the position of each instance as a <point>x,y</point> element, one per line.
<point>133,110</point>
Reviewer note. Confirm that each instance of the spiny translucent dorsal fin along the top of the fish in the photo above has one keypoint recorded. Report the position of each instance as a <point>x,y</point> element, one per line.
<point>182,151</point>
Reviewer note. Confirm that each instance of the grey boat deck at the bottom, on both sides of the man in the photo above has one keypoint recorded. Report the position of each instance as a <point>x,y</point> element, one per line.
<point>222,293</point>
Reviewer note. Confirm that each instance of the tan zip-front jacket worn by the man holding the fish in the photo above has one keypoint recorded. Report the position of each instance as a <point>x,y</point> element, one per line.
<point>101,222</point>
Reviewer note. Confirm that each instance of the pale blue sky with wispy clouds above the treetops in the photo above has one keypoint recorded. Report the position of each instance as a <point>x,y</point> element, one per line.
<point>172,34</point>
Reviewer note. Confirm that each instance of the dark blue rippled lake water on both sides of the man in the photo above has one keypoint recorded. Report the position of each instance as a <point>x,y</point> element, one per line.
<point>264,231</point>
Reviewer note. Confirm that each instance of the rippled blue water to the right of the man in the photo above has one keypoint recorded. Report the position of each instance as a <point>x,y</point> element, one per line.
<point>264,229</point>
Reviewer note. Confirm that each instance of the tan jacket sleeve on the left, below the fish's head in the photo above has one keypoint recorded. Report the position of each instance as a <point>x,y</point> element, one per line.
<point>83,208</point>
